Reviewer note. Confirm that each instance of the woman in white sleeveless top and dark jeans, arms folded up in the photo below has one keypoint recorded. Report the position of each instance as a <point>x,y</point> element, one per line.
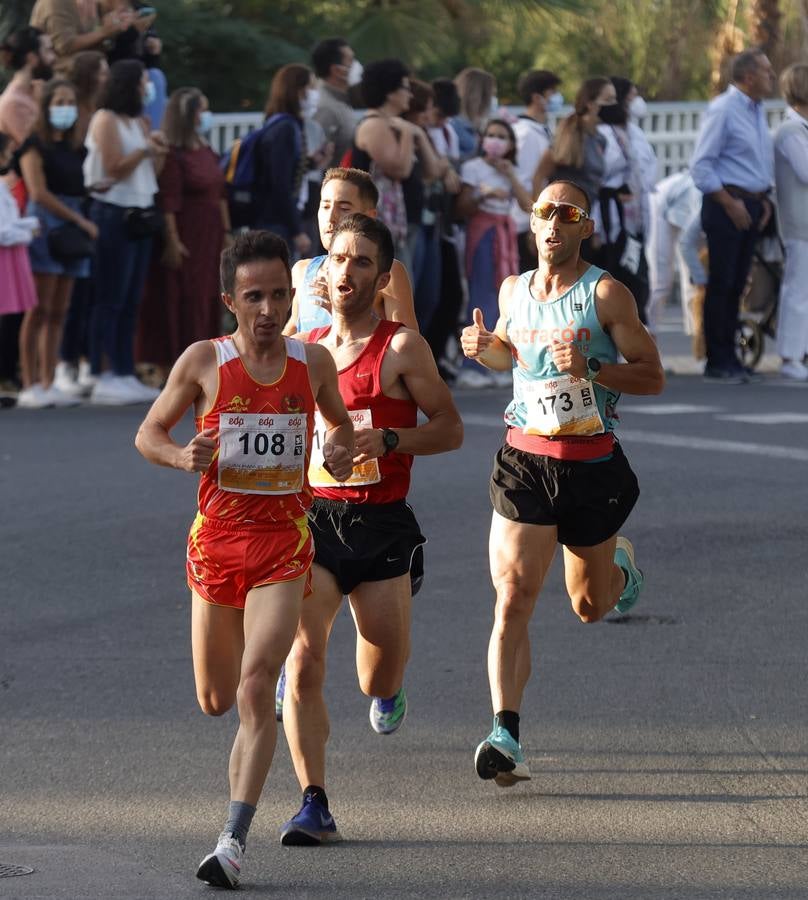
<point>121,168</point>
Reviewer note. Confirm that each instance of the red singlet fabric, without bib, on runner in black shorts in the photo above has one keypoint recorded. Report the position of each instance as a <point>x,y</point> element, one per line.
<point>361,387</point>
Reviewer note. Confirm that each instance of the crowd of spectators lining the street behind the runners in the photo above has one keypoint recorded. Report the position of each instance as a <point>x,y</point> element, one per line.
<point>114,208</point>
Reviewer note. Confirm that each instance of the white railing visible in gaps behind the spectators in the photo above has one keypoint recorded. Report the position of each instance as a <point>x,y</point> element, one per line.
<point>671,129</point>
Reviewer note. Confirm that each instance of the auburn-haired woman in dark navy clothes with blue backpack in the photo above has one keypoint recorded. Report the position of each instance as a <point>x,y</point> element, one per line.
<point>282,158</point>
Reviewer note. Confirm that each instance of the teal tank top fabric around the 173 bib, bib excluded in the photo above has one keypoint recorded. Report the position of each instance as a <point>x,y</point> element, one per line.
<point>533,324</point>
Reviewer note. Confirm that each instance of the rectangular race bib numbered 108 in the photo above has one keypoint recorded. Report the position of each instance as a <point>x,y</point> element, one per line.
<point>262,453</point>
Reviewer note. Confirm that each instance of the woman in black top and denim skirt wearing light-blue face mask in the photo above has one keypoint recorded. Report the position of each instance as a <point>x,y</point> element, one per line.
<point>51,165</point>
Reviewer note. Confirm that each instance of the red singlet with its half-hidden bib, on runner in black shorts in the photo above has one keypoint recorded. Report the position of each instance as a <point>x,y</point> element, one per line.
<point>387,478</point>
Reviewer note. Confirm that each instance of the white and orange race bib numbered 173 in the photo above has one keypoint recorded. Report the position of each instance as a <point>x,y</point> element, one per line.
<point>564,405</point>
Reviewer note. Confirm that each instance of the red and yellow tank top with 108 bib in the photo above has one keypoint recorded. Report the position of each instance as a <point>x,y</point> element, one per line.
<point>259,472</point>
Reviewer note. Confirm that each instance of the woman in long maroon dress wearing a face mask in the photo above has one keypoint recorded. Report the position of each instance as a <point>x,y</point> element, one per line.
<point>181,302</point>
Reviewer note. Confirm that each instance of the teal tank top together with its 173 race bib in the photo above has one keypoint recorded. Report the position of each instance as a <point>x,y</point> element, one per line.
<point>546,402</point>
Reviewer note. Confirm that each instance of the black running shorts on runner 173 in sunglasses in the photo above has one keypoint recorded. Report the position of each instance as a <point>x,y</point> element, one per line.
<point>586,501</point>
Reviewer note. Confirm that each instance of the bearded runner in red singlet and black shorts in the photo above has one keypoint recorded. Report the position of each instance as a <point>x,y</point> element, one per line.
<point>365,534</point>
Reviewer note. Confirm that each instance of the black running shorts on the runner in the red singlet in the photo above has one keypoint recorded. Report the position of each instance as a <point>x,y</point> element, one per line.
<point>360,542</point>
